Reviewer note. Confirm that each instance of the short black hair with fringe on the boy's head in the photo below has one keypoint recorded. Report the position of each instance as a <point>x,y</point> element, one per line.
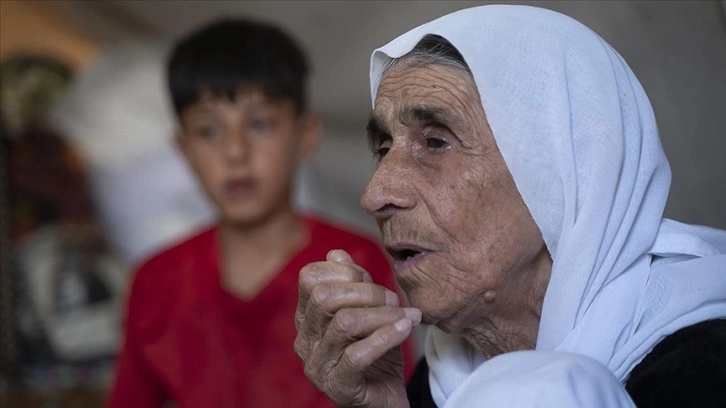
<point>231,54</point>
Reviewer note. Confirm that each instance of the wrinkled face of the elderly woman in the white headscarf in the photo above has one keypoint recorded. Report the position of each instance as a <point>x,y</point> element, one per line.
<point>447,206</point>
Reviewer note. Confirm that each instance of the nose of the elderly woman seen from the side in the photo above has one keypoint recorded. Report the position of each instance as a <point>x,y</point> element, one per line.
<point>391,187</point>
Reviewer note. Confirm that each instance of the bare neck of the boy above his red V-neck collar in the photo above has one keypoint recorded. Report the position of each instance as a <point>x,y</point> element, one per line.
<point>250,256</point>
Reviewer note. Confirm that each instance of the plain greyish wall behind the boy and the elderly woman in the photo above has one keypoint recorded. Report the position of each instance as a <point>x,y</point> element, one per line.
<point>677,49</point>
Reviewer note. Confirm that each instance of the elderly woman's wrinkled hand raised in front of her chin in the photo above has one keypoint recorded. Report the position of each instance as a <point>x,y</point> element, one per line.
<point>349,332</point>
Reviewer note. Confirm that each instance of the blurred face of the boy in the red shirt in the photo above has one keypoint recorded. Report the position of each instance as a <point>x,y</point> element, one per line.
<point>245,152</point>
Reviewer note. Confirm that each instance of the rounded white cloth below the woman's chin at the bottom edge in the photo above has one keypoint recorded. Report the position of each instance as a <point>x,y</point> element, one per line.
<point>536,379</point>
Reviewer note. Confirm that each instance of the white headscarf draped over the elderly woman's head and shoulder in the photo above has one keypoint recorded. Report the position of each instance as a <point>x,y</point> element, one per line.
<point>579,136</point>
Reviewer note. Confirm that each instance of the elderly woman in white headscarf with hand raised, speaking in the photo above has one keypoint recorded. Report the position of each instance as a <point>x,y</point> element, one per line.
<point>520,189</point>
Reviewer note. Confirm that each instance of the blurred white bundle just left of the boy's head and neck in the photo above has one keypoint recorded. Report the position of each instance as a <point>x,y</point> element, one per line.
<point>117,112</point>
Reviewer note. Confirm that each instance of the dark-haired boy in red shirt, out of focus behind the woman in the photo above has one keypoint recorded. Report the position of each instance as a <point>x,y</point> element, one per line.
<point>210,321</point>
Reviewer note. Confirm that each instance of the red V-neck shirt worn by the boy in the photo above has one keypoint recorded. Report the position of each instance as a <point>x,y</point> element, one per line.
<point>189,341</point>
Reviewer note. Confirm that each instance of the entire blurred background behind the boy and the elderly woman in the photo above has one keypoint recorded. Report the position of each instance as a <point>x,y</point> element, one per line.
<point>91,183</point>
